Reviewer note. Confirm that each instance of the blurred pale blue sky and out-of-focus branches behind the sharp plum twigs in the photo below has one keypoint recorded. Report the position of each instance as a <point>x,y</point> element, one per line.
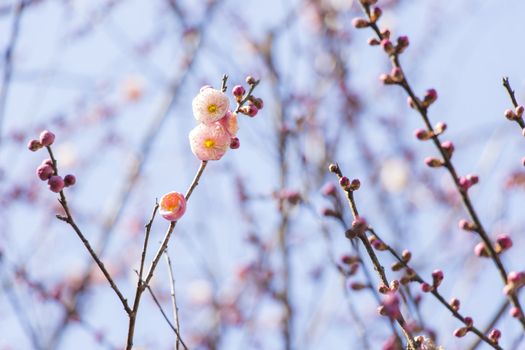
<point>114,80</point>
